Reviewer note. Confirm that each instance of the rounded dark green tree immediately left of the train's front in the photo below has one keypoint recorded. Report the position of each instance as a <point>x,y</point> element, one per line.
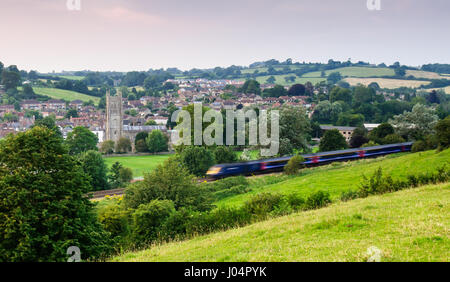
<point>197,159</point>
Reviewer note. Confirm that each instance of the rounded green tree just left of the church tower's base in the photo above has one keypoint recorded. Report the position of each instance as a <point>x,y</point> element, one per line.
<point>81,139</point>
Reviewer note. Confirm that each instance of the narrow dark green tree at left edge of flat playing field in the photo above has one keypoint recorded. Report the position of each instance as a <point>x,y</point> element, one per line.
<point>94,166</point>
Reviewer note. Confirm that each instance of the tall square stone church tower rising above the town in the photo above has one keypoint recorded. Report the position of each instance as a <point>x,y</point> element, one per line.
<point>114,116</point>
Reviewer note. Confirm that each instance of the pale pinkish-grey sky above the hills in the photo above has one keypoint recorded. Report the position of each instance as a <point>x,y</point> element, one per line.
<point>126,35</point>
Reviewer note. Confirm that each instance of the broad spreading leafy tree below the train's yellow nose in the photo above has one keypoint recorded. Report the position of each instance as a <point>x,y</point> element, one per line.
<point>168,181</point>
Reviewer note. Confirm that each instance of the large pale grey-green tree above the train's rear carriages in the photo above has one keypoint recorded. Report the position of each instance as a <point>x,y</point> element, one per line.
<point>416,124</point>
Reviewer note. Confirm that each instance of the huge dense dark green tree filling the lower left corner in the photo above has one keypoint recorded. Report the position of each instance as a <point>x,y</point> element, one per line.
<point>44,209</point>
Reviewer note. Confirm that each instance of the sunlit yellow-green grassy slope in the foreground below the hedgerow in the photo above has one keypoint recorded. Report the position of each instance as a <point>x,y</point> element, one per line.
<point>409,225</point>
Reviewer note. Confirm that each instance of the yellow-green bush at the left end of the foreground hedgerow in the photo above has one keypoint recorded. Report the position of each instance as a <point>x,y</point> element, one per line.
<point>148,220</point>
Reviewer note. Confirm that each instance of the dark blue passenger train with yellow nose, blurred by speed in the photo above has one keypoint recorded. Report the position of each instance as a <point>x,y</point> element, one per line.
<point>277,164</point>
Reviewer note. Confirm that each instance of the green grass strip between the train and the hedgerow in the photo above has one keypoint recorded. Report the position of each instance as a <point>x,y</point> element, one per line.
<point>339,177</point>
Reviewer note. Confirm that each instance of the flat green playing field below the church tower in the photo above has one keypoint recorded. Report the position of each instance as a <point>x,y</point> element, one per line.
<point>138,164</point>
